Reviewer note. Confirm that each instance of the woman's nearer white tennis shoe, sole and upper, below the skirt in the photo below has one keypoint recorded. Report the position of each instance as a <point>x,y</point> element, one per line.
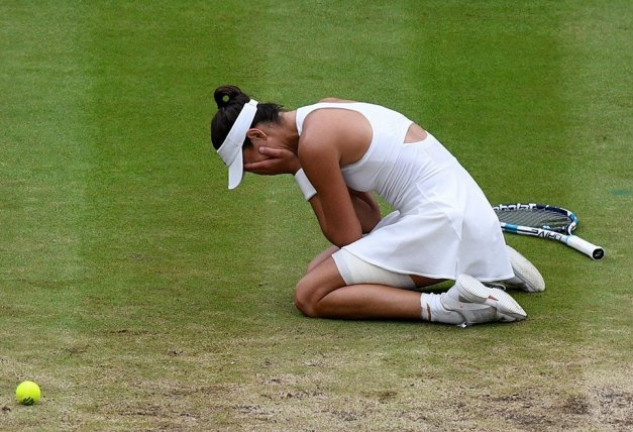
<point>477,303</point>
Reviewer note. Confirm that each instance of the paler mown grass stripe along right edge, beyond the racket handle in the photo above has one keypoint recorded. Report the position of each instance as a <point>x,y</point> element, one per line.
<point>598,90</point>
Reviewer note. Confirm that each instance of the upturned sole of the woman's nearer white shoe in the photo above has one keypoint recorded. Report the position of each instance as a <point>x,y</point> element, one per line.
<point>475,292</point>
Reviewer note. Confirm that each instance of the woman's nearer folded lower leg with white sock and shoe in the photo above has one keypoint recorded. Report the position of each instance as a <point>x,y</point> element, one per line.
<point>322,293</point>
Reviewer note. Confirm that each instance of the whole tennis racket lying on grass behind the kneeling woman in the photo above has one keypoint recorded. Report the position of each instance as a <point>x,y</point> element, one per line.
<point>545,221</point>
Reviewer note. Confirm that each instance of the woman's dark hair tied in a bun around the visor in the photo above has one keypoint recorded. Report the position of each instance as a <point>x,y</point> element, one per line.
<point>230,100</point>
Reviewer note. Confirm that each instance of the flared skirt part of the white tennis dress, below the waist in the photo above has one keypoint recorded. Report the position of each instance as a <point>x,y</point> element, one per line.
<point>448,229</point>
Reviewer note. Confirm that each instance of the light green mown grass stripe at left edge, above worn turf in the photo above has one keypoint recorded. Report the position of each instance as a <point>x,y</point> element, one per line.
<point>43,154</point>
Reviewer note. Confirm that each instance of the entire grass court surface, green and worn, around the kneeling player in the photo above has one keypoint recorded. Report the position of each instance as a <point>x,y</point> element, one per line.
<point>142,295</point>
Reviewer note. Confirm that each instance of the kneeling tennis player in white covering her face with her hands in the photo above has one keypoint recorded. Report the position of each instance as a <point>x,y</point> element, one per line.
<point>442,227</point>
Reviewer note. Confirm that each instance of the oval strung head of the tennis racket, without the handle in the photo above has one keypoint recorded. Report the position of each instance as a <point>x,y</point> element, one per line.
<point>536,215</point>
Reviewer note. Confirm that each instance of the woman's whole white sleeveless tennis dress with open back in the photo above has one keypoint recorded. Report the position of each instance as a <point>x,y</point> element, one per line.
<point>443,225</point>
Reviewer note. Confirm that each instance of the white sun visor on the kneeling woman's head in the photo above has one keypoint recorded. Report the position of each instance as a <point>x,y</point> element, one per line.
<point>231,149</point>
